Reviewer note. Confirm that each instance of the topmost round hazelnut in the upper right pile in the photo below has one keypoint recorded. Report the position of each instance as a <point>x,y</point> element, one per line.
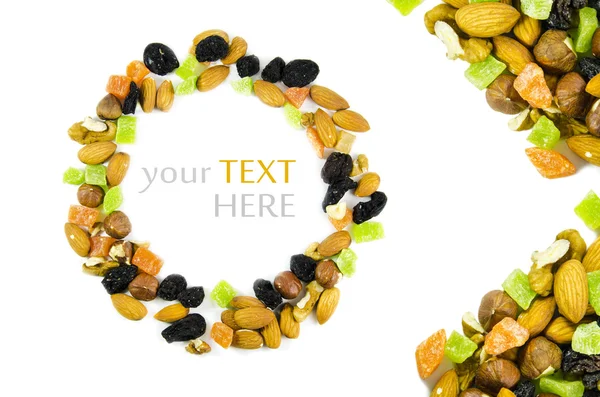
<point>554,52</point>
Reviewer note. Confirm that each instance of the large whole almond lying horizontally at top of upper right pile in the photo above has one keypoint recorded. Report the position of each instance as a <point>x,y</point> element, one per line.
<point>487,20</point>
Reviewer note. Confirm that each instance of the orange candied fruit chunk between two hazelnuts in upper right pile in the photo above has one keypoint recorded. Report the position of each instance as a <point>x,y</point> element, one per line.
<point>532,86</point>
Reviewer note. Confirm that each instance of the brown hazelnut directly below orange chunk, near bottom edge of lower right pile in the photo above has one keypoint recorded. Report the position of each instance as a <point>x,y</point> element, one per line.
<point>495,374</point>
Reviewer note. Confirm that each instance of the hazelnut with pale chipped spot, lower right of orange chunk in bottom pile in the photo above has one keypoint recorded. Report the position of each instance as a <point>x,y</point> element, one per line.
<point>539,356</point>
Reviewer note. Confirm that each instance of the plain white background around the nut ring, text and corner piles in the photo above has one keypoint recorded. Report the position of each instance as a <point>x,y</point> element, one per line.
<point>466,207</point>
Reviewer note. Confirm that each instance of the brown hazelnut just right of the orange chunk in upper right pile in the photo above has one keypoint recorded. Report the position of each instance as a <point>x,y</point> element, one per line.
<point>571,97</point>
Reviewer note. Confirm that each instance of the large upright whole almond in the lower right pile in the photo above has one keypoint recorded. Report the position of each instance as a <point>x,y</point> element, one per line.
<point>571,290</point>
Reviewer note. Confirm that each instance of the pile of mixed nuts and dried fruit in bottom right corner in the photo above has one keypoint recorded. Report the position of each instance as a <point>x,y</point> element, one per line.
<point>537,336</point>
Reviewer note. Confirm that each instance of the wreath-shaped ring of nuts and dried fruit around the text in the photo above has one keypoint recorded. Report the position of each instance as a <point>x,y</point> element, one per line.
<point>97,230</point>
